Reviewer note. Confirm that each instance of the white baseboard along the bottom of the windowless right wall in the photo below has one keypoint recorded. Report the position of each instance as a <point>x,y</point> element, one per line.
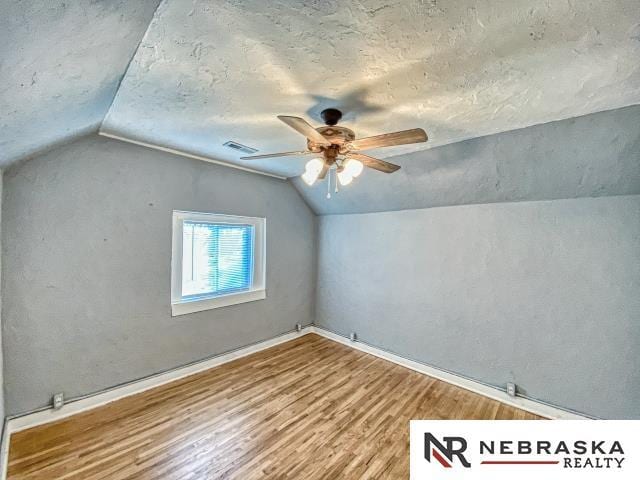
<point>522,403</point>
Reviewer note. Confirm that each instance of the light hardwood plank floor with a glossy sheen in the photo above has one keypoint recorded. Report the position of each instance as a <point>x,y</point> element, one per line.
<point>307,409</point>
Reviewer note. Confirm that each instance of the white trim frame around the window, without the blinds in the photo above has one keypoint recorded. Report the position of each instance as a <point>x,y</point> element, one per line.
<point>258,288</point>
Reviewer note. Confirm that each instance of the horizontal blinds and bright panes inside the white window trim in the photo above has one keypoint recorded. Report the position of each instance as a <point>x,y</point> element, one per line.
<point>217,258</point>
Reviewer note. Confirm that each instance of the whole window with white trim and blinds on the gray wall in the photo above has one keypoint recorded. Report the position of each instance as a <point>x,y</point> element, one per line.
<point>218,260</point>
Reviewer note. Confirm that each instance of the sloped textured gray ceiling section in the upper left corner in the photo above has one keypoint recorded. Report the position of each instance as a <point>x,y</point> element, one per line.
<point>60,66</point>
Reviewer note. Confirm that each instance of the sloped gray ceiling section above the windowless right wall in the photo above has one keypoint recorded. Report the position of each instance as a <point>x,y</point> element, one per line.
<point>594,155</point>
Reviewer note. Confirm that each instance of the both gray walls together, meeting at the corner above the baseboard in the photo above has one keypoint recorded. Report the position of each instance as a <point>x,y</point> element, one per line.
<point>541,293</point>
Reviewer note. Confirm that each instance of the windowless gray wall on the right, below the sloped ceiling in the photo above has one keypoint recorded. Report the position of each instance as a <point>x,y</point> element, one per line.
<point>545,294</point>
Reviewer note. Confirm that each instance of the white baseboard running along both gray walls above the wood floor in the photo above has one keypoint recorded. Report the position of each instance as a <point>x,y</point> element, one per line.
<point>17,424</point>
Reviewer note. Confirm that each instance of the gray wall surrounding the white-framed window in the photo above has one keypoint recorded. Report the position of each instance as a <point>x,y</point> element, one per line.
<point>86,267</point>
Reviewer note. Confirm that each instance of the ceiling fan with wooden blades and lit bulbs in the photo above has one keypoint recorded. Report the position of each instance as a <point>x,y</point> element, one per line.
<point>339,148</point>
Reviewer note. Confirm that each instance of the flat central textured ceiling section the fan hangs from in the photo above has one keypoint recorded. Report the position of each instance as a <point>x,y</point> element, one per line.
<point>211,71</point>
